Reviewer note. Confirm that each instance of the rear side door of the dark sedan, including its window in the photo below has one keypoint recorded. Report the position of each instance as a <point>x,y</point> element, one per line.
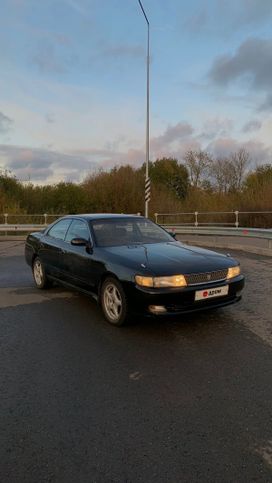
<point>52,247</point>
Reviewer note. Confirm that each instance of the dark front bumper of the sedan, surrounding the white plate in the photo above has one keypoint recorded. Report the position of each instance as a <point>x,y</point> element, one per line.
<point>180,301</point>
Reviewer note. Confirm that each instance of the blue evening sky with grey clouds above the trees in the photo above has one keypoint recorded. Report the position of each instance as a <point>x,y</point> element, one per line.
<point>73,83</point>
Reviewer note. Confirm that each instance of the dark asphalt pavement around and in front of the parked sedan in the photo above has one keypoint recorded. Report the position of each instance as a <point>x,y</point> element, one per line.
<point>183,400</point>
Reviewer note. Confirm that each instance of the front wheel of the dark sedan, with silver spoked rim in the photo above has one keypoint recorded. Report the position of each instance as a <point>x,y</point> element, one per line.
<point>114,302</point>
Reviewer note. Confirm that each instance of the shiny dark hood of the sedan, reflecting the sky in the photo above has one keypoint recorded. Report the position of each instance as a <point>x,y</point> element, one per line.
<point>169,258</point>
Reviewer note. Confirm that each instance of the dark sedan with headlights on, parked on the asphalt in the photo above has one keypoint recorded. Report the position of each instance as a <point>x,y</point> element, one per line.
<point>131,265</point>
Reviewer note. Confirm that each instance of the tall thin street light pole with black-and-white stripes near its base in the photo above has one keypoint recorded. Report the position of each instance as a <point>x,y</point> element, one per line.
<point>147,180</point>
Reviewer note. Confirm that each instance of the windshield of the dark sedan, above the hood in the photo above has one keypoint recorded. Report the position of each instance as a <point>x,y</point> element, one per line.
<point>128,231</point>
